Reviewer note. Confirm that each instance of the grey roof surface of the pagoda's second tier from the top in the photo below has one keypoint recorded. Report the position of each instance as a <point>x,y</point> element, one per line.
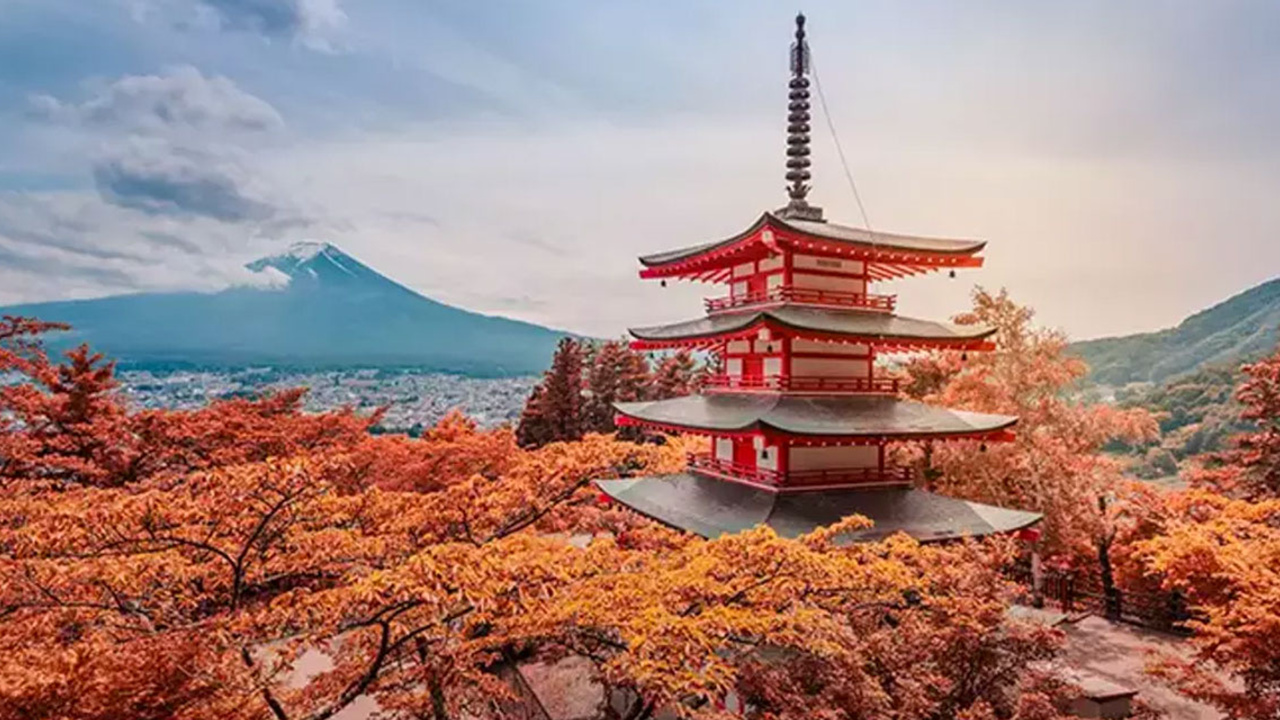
<point>847,323</point>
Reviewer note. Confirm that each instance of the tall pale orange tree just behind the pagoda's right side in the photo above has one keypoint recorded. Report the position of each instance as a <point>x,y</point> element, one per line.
<point>1055,466</point>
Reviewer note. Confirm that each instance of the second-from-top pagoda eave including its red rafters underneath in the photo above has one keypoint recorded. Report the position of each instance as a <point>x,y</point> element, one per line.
<point>831,326</point>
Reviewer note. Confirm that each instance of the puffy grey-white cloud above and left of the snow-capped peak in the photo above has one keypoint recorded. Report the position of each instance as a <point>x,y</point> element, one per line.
<point>173,144</point>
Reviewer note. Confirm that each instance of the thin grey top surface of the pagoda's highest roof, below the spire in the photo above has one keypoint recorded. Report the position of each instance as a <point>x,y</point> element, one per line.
<point>854,238</point>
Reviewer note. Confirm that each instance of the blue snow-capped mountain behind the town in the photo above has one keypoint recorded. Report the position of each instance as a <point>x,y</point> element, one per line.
<point>327,311</point>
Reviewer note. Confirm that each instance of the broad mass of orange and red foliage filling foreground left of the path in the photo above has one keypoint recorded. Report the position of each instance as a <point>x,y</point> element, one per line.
<point>179,564</point>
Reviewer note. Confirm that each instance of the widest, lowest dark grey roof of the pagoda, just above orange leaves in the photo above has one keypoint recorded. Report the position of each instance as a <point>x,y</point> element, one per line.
<point>711,508</point>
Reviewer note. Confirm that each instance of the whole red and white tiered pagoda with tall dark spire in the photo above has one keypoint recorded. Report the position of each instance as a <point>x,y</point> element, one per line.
<point>797,416</point>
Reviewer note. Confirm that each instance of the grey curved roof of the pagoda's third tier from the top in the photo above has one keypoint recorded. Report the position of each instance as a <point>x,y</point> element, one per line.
<point>845,417</point>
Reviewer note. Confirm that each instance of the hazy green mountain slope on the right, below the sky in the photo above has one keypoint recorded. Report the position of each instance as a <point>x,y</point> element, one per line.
<point>1241,329</point>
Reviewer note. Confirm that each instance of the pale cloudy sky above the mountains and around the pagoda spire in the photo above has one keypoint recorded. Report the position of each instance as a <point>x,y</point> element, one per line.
<point>514,157</point>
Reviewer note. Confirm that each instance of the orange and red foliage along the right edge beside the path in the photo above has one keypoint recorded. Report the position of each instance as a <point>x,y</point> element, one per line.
<point>1219,546</point>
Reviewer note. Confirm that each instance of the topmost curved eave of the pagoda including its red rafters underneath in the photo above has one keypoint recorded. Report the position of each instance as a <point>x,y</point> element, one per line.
<point>894,256</point>
